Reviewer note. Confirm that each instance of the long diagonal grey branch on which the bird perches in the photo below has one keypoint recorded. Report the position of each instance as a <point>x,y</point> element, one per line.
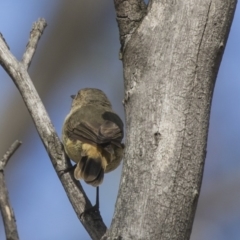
<point>17,71</point>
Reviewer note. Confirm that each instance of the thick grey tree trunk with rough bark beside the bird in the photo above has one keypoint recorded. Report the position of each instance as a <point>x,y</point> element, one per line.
<point>171,59</point>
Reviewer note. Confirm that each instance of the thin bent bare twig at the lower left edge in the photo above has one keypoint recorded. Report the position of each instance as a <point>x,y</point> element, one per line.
<point>5,206</point>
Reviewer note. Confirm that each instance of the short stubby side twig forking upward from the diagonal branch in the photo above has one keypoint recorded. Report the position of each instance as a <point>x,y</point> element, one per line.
<point>36,33</point>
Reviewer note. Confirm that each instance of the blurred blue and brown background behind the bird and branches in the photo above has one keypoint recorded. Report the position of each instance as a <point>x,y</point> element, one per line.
<point>78,49</point>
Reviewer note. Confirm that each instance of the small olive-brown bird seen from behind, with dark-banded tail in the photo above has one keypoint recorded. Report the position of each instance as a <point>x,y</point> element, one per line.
<point>92,134</point>
